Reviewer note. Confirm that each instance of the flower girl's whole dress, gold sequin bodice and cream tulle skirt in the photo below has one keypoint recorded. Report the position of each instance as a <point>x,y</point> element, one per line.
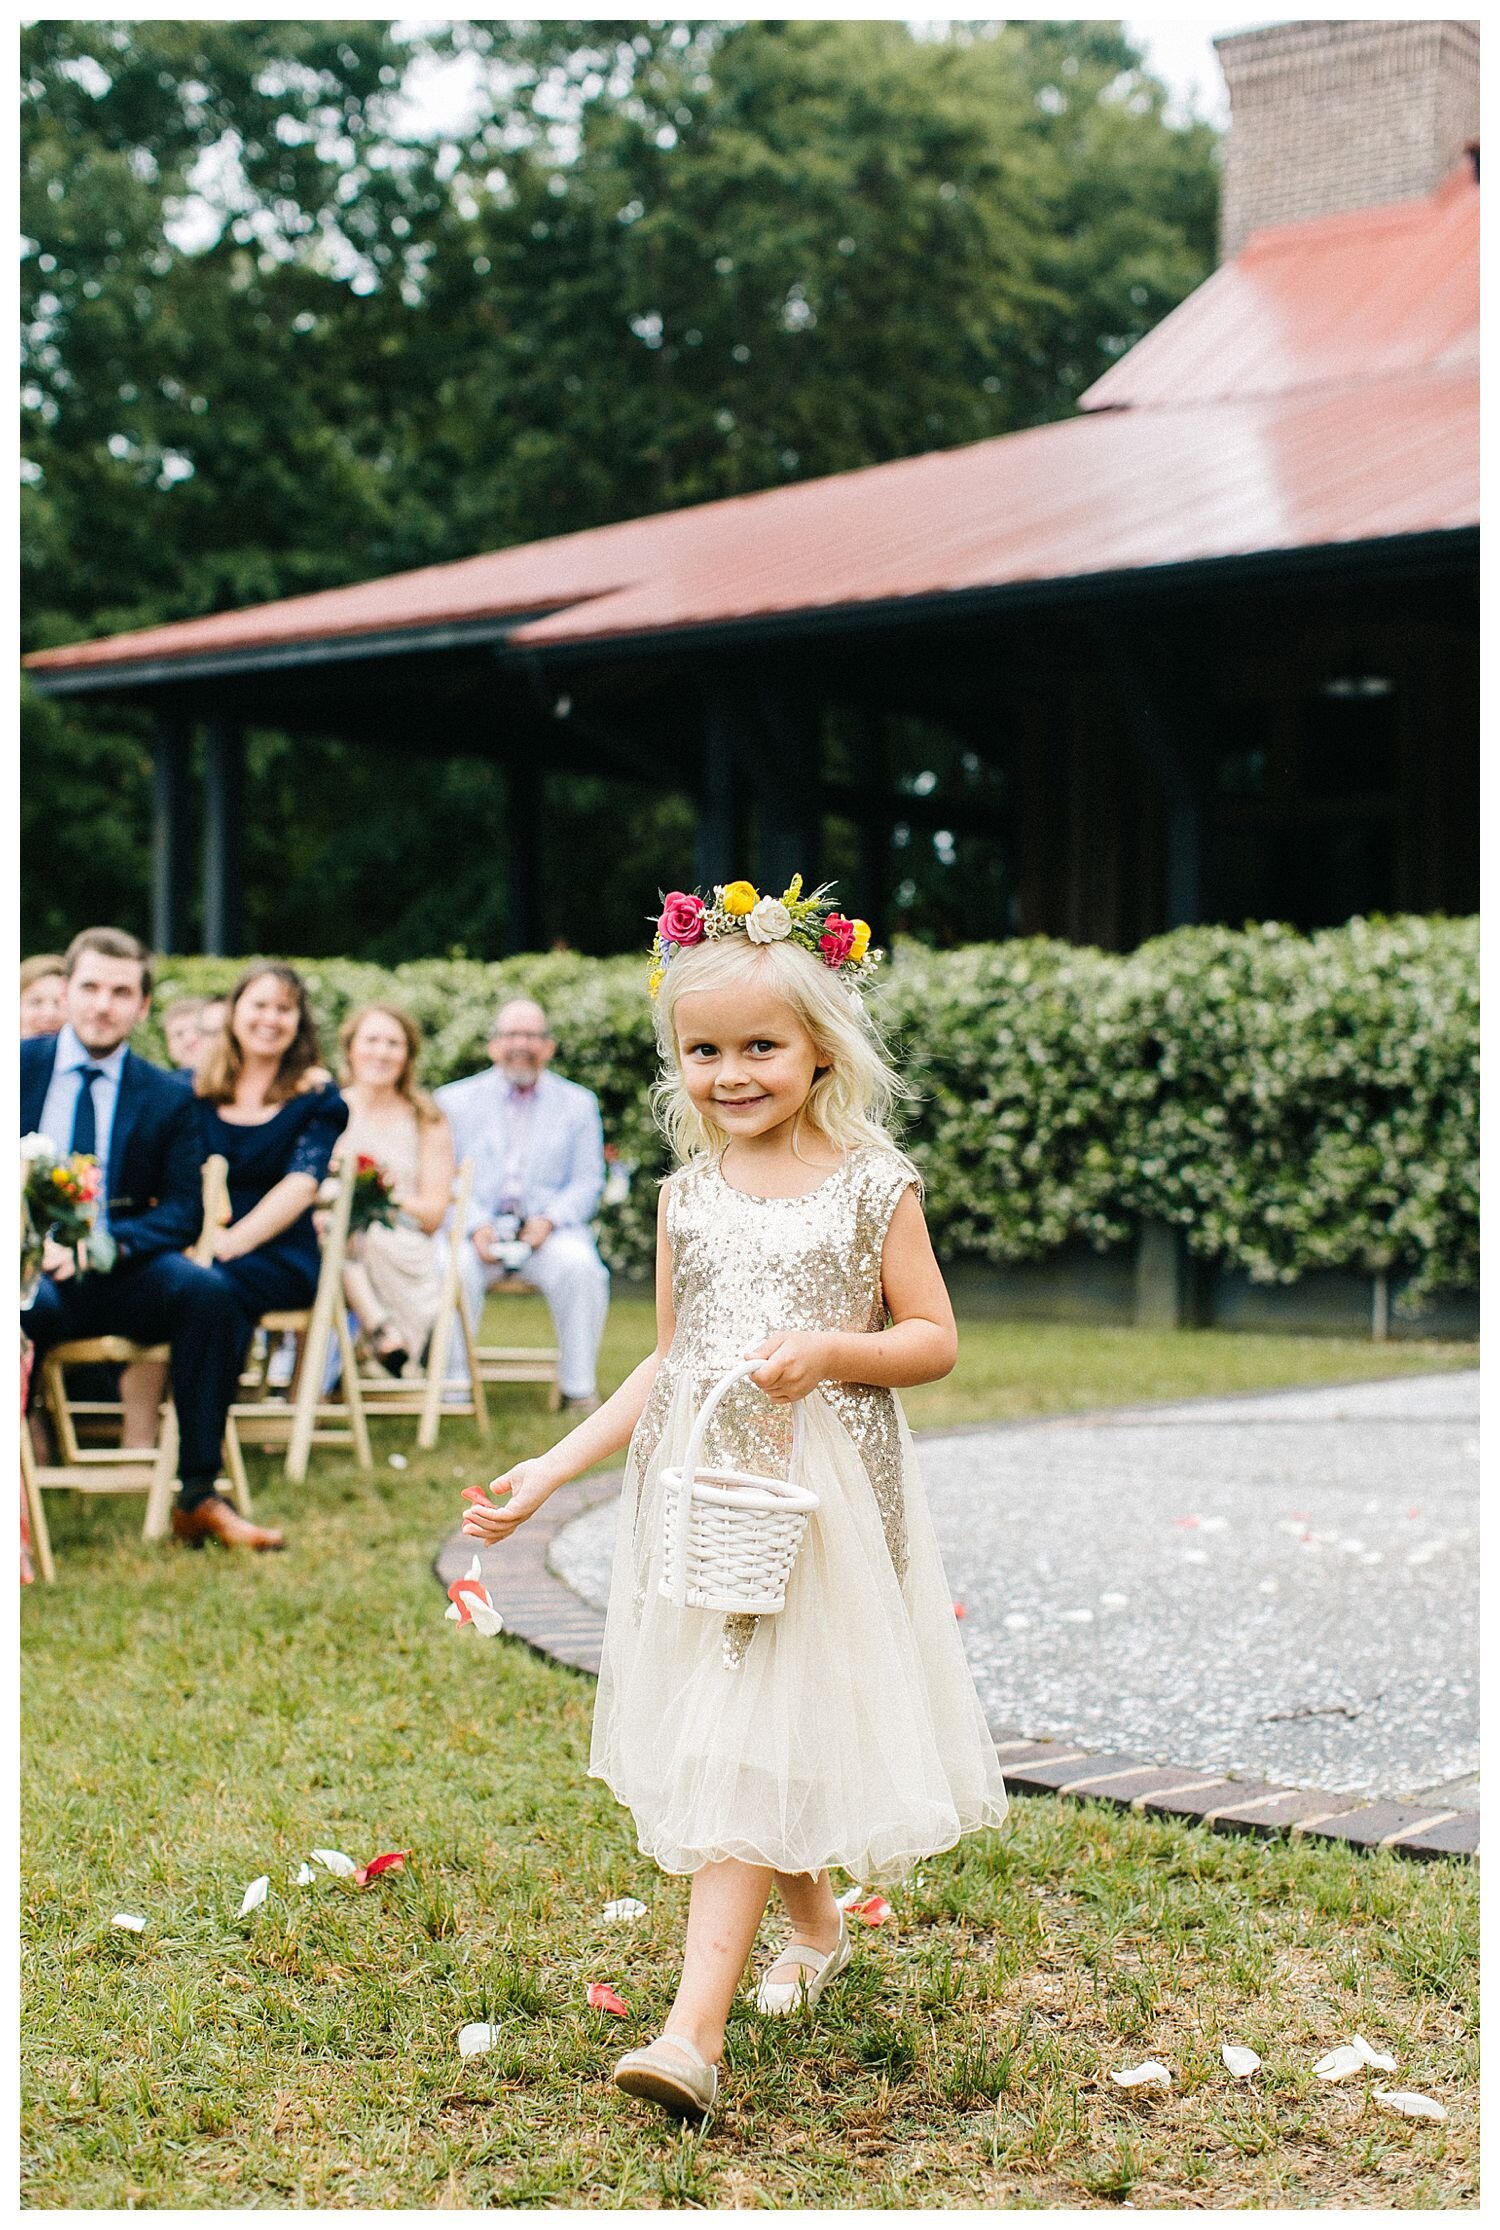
<point>846,1727</point>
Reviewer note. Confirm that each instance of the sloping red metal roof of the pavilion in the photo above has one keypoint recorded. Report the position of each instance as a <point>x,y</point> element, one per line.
<point>1316,391</point>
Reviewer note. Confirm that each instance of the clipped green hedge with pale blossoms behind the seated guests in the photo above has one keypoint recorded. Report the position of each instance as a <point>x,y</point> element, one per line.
<point>1289,1103</point>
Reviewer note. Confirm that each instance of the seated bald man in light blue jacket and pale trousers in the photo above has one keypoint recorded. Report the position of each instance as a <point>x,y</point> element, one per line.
<point>538,1150</point>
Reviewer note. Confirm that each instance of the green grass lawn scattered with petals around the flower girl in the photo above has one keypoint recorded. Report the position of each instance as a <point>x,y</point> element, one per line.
<point>199,1720</point>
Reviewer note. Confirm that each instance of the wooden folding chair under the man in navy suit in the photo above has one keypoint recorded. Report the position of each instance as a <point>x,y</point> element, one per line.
<point>117,1471</point>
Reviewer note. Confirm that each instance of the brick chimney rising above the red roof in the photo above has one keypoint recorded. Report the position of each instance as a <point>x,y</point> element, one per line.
<point>1332,117</point>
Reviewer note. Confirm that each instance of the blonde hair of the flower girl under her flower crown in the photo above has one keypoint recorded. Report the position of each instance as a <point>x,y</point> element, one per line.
<point>855,1092</point>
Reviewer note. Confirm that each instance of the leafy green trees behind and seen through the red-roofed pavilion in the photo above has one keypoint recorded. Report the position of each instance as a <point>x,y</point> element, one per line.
<point>284,333</point>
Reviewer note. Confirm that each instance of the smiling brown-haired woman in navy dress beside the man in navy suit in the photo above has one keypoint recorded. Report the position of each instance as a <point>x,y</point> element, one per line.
<point>271,1109</point>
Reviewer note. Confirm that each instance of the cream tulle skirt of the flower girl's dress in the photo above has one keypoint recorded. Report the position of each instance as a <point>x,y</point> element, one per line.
<point>841,1732</point>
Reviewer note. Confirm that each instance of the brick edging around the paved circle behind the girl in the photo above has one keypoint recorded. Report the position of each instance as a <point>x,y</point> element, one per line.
<point>554,1622</point>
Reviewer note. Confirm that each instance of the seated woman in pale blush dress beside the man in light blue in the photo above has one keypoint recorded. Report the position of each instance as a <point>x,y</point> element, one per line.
<point>393,1279</point>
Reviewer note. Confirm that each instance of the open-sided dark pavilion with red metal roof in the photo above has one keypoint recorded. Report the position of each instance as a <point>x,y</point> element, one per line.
<point>1205,652</point>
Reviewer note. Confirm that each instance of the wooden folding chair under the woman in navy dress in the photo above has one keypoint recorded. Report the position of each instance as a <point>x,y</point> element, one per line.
<point>309,1417</point>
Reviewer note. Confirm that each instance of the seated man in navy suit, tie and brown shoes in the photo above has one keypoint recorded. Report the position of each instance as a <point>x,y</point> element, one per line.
<point>90,1094</point>
